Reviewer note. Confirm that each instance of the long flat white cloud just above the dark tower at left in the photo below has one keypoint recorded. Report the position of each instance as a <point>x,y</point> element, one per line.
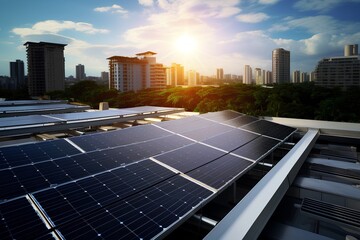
<point>54,26</point>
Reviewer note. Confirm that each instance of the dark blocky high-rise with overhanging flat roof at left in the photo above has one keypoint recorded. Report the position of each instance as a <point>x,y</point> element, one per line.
<point>46,67</point>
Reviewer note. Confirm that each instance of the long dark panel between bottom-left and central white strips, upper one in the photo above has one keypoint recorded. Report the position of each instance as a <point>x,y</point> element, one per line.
<point>94,192</point>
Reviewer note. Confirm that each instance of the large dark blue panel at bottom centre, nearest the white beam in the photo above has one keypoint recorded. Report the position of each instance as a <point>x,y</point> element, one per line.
<point>141,216</point>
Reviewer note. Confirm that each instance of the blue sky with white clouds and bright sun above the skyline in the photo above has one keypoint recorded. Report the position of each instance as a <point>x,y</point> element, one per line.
<point>202,35</point>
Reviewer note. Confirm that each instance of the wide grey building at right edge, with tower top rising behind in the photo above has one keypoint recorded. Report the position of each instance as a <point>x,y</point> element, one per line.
<point>341,71</point>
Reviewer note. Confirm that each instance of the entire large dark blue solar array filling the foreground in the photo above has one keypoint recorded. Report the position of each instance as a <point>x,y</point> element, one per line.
<point>135,183</point>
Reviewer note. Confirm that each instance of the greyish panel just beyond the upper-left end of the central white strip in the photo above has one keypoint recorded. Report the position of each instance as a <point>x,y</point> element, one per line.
<point>190,157</point>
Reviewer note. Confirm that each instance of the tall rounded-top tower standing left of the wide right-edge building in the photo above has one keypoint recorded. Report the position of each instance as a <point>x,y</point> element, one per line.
<point>281,65</point>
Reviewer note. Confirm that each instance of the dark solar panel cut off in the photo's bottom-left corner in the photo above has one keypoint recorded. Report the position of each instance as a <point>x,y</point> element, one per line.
<point>18,220</point>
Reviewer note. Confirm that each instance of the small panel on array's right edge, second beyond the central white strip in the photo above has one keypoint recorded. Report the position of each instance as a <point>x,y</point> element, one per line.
<point>257,148</point>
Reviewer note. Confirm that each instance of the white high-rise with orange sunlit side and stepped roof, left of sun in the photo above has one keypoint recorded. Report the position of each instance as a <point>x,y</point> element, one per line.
<point>136,73</point>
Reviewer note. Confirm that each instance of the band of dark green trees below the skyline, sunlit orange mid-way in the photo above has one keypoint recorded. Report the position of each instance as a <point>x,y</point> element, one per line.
<point>303,100</point>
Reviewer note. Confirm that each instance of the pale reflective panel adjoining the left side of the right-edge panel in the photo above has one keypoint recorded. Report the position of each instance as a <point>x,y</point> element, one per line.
<point>231,140</point>
